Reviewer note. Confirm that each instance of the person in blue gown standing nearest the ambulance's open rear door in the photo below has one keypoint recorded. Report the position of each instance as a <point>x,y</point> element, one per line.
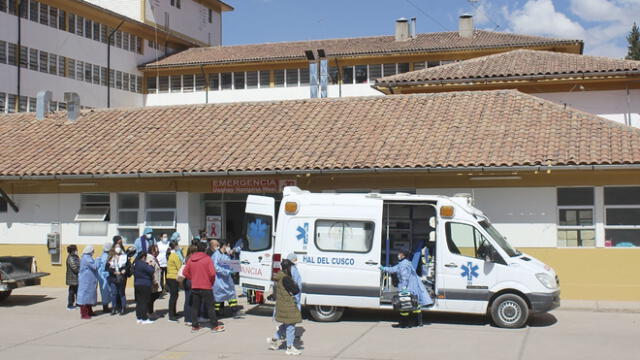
<point>223,288</point>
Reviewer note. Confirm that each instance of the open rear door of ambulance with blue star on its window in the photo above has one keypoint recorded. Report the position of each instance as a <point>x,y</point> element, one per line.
<point>256,256</point>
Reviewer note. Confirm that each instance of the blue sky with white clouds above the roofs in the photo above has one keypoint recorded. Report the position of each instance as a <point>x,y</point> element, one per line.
<point>602,24</point>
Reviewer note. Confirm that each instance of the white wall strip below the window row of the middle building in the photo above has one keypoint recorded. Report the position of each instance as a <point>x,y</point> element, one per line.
<point>268,94</point>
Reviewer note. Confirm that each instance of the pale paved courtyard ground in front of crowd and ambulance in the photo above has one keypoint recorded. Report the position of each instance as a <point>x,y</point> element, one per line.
<point>36,325</point>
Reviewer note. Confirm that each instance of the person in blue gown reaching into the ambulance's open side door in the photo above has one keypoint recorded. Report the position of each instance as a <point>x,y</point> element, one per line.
<point>409,281</point>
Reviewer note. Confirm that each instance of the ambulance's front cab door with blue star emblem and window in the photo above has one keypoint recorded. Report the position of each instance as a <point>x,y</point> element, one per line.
<point>465,275</point>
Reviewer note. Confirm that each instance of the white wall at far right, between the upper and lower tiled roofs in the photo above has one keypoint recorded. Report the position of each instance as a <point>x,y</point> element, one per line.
<point>611,104</point>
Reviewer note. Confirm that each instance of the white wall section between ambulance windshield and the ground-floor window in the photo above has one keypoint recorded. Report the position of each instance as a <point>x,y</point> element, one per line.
<point>526,216</point>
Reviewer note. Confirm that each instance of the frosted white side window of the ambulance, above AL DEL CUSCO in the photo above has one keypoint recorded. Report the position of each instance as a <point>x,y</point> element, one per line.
<point>344,236</point>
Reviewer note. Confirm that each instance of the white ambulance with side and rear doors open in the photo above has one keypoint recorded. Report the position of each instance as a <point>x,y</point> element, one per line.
<point>341,240</point>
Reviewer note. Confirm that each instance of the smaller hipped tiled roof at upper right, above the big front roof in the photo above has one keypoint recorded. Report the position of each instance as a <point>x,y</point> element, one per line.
<point>516,63</point>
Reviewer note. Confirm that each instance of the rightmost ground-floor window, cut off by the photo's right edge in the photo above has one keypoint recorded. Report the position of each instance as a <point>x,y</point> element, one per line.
<point>622,216</point>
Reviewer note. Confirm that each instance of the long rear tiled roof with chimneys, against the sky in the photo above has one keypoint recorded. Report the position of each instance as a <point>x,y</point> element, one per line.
<point>376,45</point>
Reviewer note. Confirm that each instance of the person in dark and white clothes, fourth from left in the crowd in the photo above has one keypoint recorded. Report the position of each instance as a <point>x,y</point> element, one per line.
<point>119,268</point>
